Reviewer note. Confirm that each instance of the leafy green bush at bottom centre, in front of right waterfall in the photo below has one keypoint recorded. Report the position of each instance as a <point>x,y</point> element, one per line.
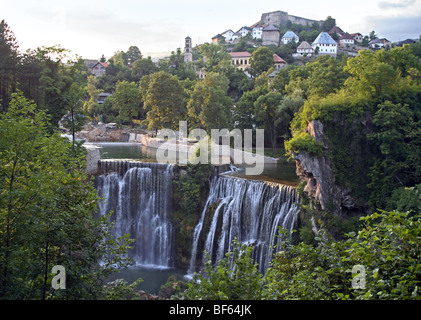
<point>235,278</point>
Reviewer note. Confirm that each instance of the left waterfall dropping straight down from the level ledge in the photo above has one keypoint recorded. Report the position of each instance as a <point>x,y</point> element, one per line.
<point>139,196</point>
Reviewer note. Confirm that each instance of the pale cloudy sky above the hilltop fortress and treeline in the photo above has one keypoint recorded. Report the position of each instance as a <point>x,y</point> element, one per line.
<point>92,28</point>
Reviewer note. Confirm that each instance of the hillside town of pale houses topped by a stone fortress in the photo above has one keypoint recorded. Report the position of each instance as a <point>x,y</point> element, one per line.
<point>270,31</point>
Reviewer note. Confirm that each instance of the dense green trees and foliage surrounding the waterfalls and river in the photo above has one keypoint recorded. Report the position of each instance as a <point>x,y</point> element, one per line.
<point>370,108</point>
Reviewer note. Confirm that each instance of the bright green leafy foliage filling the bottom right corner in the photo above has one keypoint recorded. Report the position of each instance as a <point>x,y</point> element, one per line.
<point>387,247</point>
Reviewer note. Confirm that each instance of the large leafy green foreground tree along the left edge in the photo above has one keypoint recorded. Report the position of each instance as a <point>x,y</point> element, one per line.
<point>47,207</point>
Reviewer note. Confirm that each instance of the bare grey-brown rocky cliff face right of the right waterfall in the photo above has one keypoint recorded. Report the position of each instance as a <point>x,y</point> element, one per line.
<point>320,178</point>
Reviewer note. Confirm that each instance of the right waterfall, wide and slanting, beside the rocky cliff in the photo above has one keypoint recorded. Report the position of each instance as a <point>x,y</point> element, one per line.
<point>250,211</point>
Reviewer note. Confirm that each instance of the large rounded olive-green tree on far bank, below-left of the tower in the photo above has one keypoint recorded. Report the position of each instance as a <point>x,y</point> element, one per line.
<point>163,101</point>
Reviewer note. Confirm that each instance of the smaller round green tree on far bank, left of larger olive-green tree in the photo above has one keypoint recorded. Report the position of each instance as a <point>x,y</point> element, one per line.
<point>127,100</point>
